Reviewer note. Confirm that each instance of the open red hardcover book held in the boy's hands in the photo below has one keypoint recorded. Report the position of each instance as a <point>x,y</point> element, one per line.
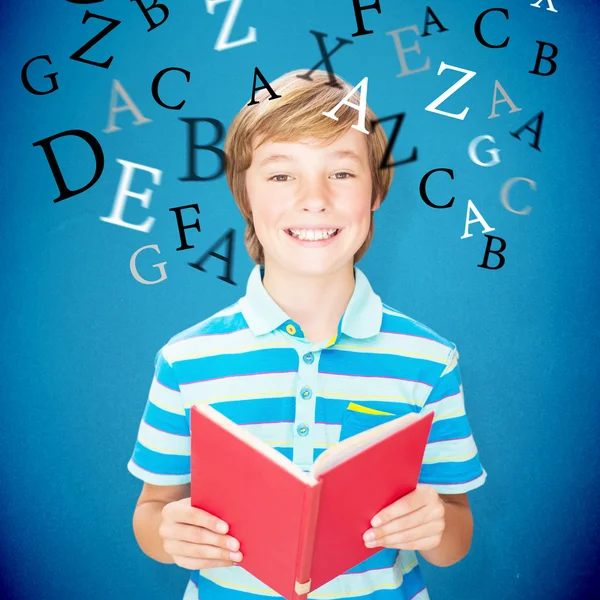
<point>299,530</point>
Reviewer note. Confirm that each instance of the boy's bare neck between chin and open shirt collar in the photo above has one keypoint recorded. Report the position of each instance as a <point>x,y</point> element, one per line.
<point>316,303</point>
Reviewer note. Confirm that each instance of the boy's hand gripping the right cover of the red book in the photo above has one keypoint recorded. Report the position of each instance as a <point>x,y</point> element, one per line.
<point>414,522</point>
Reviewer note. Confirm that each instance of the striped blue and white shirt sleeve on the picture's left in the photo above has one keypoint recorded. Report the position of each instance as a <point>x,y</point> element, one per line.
<point>161,455</point>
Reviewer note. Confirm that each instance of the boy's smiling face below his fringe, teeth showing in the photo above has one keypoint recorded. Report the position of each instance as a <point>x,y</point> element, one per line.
<point>300,191</point>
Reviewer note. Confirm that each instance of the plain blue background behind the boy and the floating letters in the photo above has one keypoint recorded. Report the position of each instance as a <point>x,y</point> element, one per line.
<point>80,333</point>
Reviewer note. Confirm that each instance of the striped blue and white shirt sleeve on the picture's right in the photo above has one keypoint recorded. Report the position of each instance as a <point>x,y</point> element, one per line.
<point>451,462</point>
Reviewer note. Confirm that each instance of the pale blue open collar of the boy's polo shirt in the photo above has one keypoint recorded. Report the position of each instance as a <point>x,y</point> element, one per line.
<point>362,317</point>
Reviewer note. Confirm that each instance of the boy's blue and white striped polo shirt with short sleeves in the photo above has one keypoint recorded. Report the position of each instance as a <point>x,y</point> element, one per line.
<point>253,364</point>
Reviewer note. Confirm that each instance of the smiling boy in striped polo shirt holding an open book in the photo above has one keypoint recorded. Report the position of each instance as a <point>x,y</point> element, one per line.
<point>309,338</point>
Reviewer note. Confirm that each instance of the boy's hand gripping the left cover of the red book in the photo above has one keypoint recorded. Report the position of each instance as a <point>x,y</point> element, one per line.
<point>194,539</point>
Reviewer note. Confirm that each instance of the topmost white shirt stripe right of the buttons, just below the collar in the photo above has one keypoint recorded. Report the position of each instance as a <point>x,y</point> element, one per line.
<point>399,344</point>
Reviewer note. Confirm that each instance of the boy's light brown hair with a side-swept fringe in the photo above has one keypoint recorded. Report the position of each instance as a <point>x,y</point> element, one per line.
<point>298,115</point>
